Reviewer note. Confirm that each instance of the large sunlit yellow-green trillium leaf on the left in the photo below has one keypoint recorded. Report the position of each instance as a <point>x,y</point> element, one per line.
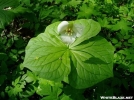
<point>48,57</point>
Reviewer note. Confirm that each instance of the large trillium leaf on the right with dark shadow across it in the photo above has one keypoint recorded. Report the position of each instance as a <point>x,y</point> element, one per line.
<point>92,62</point>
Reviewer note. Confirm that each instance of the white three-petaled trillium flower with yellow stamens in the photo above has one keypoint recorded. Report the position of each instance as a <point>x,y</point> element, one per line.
<point>68,32</point>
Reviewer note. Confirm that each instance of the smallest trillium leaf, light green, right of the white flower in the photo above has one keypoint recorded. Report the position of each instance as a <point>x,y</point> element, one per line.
<point>90,28</point>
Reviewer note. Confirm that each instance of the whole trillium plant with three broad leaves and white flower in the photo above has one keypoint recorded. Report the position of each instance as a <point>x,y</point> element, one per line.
<point>71,51</point>
